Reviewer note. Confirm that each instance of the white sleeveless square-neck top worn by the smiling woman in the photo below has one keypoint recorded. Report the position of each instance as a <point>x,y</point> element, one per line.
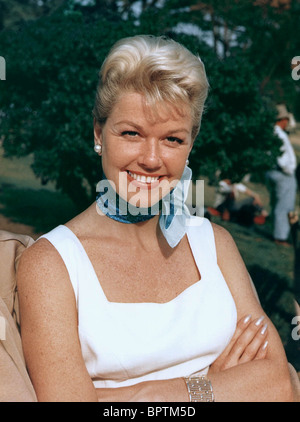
<point>126,343</point>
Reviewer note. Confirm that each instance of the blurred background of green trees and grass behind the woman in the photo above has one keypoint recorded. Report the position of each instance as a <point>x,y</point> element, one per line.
<point>53,50</point>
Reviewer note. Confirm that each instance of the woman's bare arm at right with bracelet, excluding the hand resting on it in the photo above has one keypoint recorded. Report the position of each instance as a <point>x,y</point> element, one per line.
<point>258,380</point>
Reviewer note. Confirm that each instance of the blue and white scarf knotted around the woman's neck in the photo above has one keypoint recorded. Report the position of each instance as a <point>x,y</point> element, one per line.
<point>172,209</point>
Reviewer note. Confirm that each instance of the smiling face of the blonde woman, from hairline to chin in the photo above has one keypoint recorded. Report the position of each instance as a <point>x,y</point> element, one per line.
<point>144,153</point>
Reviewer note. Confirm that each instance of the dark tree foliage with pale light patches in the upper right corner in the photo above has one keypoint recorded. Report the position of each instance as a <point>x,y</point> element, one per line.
<point>263,33</point>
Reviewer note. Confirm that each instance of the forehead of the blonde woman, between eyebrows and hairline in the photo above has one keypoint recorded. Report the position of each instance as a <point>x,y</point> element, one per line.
<point>135,106</point>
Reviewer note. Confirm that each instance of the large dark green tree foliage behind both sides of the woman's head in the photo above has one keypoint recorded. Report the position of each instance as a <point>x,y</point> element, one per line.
<point>52,71</point>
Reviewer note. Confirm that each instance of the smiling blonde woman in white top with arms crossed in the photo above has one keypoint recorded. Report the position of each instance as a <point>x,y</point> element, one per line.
<point>134,299</point>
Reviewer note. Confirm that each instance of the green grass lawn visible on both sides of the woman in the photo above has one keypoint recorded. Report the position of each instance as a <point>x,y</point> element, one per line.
<point>23,200</point>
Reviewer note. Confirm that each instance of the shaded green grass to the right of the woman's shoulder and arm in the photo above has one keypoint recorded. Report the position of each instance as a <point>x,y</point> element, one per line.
<point>270,267</point>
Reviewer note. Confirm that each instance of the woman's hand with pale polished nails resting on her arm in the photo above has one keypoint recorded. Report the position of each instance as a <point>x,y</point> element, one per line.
<point>248,343</point>
